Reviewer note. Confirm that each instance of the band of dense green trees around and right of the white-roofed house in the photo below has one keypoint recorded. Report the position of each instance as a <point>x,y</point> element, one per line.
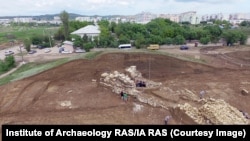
<point>158,31</point>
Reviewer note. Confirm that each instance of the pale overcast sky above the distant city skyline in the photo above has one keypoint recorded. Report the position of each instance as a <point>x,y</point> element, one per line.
<point>122,7</point>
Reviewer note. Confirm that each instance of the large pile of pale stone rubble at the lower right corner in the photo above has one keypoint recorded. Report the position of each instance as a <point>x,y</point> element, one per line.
<point>212,111</point>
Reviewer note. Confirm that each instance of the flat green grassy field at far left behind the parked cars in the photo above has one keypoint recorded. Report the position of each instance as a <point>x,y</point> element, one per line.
<point>19,33</point>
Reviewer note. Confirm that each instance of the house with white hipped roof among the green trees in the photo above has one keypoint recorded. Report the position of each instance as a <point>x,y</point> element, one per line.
<point>90,30</point>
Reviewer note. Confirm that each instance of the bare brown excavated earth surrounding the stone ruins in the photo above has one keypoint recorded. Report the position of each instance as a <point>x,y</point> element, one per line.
<point>72,94</point>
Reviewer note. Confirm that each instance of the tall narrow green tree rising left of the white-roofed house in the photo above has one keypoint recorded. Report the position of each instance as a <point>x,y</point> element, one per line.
<point>64,16</point>
